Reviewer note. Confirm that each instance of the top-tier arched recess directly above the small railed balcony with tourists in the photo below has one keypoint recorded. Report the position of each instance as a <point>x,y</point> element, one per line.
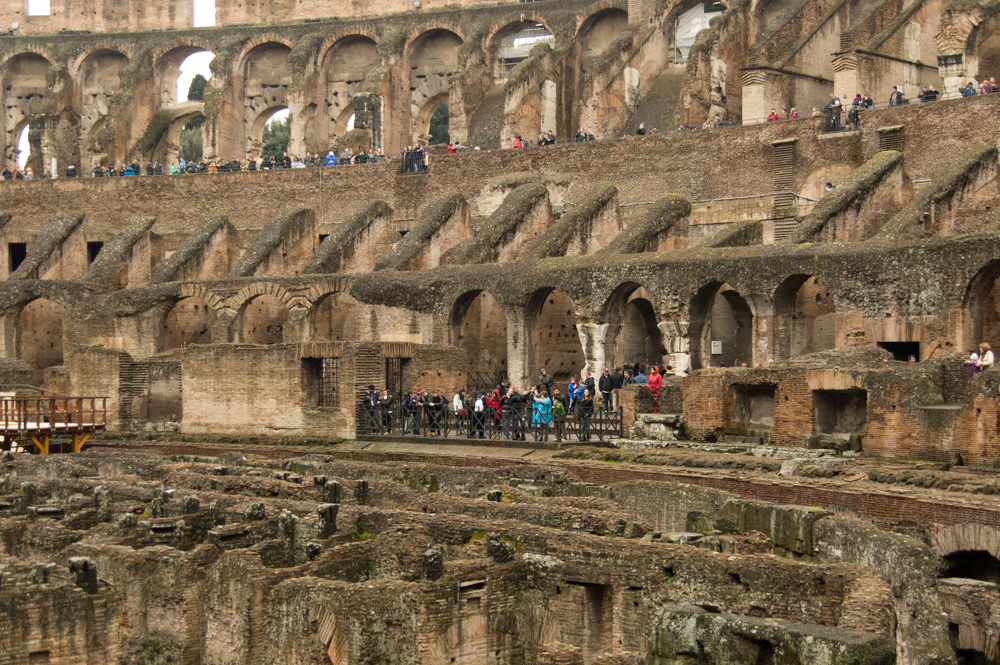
<point>433,57</point>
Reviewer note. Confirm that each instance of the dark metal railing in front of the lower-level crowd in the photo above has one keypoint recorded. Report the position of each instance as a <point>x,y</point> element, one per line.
<point>514,423</point>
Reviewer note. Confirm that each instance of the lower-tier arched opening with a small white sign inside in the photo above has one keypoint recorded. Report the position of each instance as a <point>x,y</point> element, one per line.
<point>721,329</point>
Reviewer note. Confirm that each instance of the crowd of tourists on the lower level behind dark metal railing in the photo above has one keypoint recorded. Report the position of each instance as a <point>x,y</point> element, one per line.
<point>505,411</point>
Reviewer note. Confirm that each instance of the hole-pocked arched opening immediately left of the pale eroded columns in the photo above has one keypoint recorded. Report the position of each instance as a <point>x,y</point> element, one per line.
<point>553,340</point>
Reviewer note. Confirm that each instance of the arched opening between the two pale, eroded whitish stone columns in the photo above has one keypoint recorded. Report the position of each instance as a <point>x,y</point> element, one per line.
<point>633,336</point>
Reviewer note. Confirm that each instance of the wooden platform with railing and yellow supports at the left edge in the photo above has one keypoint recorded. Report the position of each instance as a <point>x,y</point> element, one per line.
<point>37,419</point>
